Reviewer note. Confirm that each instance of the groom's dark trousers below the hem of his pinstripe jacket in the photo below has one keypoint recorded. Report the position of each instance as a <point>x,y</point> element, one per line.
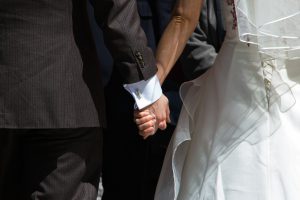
<point>51,164</point>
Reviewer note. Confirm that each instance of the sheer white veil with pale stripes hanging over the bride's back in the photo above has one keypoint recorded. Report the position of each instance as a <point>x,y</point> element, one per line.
<point>273,25</point>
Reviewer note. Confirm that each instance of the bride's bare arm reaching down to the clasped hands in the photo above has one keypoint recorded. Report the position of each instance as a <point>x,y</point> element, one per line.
<point>183,22</point>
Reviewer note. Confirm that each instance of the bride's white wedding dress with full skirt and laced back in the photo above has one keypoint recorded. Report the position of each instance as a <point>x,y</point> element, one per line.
<point>238,137</point>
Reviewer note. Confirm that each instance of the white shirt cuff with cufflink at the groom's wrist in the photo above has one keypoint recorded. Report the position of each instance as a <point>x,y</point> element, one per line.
<point>145,92</point>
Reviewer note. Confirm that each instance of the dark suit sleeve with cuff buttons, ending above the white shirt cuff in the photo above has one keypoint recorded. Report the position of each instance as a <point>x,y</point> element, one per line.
<point>125,39</point>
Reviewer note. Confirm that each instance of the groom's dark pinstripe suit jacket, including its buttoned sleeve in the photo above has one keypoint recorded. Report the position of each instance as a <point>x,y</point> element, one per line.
<point>49,73</point>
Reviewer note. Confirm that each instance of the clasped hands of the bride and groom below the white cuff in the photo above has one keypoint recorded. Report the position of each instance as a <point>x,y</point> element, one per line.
<point>156,116</point>
